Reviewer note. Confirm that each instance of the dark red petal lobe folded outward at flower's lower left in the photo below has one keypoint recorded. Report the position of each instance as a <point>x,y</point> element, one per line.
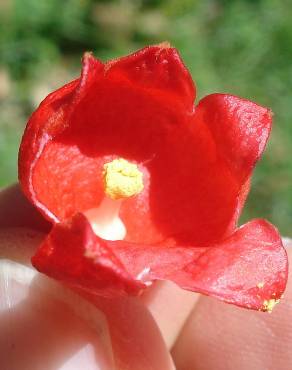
<point>71,254</point>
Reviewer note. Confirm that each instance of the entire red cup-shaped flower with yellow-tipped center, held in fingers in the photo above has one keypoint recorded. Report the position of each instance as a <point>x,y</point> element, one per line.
<point>141,185</point>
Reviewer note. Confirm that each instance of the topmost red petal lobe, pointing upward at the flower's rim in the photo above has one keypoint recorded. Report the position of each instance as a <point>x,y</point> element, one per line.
<point>160,70</point>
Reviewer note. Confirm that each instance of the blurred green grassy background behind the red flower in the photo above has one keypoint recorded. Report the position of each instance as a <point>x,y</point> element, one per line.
<point>243,47</point>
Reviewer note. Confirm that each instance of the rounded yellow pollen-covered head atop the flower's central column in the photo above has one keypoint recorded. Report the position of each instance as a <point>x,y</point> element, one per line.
<point>122,179</point>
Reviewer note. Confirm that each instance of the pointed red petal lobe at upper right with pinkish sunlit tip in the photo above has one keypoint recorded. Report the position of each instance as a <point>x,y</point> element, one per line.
<point>240,129</point>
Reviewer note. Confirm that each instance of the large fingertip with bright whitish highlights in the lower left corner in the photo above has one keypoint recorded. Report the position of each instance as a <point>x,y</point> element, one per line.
<point>41,329</point>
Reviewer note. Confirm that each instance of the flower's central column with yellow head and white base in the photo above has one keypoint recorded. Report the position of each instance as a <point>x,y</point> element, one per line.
<point>122,180</point>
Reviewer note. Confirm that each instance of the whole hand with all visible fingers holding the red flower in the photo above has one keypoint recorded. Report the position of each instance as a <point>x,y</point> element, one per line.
<point>214,336</point>
